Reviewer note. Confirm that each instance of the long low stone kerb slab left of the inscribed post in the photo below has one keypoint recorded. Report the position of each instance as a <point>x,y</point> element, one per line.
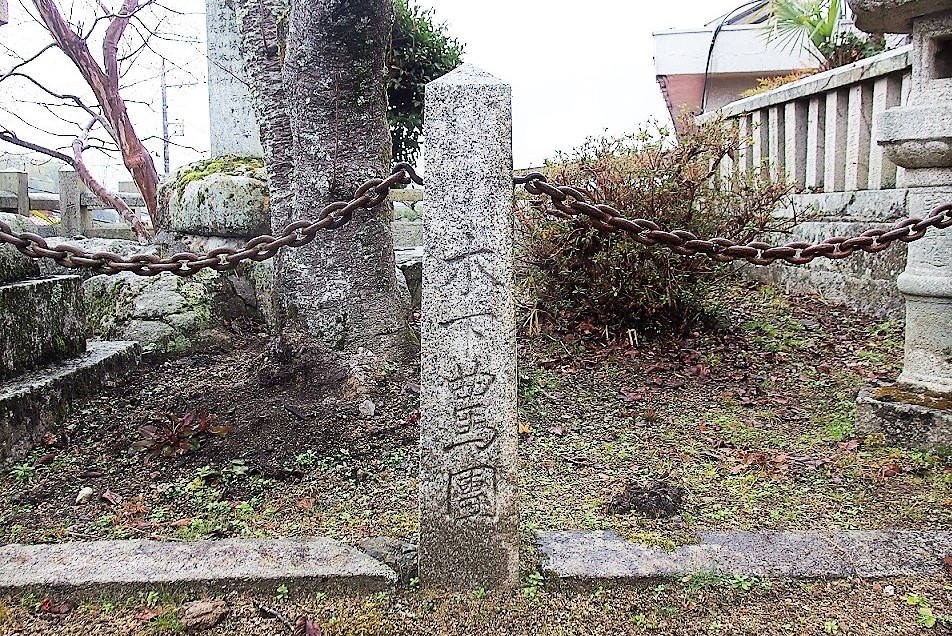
<point>262,565</point>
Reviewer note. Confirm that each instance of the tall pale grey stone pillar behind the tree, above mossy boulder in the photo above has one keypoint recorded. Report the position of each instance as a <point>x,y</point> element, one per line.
<point>231,118</point>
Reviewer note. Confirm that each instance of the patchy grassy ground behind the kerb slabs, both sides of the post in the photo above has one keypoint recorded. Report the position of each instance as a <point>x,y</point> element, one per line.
<point>754,424</point>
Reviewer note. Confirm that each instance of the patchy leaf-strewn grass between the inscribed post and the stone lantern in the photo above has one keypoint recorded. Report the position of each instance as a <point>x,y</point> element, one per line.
<point>755,424</point>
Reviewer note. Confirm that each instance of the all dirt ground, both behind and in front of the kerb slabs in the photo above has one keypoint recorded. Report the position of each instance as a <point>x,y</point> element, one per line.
<point>751,426</point>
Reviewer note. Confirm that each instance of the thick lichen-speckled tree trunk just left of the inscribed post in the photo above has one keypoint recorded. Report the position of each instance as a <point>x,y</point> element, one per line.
<point>342,288</point>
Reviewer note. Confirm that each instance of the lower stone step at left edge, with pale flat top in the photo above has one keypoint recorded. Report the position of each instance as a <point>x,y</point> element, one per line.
<point>38,399</point>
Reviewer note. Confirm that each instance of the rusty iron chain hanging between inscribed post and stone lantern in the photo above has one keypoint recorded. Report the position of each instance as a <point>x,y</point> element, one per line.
<point>571,203</point>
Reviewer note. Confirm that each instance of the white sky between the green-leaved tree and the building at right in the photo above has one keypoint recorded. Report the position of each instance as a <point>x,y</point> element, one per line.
<point>576,67</point>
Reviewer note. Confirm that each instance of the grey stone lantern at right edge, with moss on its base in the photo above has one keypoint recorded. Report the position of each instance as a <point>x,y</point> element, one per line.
<point>918,136</point>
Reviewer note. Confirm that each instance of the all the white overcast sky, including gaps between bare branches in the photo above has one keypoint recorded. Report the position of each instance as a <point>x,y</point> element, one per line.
<point>577,68</point>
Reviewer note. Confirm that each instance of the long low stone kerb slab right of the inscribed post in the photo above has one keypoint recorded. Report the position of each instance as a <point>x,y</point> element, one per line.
<point>604,556</point>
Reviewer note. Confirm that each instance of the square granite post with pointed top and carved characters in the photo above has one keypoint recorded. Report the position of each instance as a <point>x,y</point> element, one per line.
<point>469,521</point>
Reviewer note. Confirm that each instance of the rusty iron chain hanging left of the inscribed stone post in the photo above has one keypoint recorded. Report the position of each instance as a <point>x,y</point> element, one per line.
<point>370,194</point>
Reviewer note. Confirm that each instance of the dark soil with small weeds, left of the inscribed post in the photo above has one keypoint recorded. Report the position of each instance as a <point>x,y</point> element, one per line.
<point>288,426</point>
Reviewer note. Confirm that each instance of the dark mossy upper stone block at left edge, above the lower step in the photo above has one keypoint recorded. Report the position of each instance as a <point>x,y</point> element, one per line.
<point>40,321</point>
